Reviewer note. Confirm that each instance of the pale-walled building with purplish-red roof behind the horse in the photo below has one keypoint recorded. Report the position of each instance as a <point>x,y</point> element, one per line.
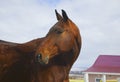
<point>106,67</point>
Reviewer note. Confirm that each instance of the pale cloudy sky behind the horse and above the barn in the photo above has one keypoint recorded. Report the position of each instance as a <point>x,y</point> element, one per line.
<point>98,21</point>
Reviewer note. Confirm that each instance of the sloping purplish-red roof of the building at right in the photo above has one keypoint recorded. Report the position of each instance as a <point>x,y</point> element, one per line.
<point>106,63</point>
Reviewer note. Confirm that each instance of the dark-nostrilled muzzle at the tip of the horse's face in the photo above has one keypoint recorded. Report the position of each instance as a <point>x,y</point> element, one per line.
<point>41,60</point>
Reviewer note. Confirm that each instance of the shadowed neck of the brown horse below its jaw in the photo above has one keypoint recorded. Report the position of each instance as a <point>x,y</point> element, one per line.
<point>68,59</point>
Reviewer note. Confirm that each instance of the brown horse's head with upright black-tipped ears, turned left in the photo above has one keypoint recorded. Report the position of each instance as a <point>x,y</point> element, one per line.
<point>61,38</point>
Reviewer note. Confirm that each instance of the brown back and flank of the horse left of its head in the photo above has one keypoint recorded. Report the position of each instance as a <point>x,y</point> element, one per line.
<point>15,59</point>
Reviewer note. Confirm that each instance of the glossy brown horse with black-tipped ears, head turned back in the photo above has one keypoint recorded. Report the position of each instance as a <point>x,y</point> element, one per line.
<point>47,59</point>
